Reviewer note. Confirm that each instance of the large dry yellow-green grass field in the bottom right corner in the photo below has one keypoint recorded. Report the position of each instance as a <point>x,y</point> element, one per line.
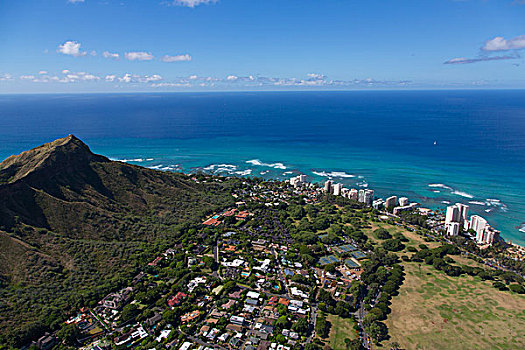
<point>434,311</point>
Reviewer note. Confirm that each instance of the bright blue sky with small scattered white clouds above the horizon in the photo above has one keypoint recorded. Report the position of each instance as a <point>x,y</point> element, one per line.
<point>194,45</point>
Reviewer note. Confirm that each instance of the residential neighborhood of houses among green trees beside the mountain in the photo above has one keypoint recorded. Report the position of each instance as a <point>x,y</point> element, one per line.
<point>244,281</point>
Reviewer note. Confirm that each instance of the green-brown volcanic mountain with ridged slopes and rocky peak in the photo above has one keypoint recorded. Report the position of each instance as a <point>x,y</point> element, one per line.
<point>73,224</point>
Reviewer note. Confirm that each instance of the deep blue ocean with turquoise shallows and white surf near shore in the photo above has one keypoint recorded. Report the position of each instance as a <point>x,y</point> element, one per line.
<point>436,147</point>
